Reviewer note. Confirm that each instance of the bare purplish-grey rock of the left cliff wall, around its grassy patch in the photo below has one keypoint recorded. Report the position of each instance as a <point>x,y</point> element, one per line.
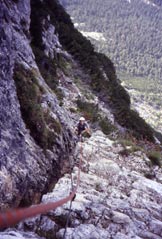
<point>25,171</point>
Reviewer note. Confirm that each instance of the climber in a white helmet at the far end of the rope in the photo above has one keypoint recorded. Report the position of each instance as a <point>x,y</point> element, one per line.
<point>82,128</point>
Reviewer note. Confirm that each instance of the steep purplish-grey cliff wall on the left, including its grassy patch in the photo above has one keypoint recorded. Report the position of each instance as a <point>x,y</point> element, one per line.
<point>29,113</point>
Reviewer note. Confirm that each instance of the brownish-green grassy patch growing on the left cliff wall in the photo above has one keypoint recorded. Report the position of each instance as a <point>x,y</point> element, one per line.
<point>43,128</point>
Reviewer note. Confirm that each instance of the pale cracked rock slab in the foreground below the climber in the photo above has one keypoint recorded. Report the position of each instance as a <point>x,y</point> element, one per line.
<point>114,200</point>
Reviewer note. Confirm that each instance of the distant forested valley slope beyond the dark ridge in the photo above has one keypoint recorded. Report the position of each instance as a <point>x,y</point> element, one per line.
<point>129,33</point>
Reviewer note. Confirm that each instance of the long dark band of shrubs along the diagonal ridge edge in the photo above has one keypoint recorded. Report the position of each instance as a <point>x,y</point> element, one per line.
<point>100,68</point>
